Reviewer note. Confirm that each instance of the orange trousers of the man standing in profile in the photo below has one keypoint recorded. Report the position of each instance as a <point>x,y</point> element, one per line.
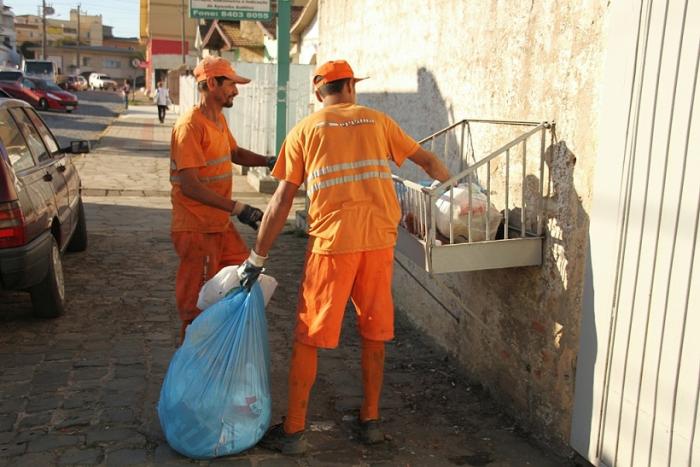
<point>202,255</point>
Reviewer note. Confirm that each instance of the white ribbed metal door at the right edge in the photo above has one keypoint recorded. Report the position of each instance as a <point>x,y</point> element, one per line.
<point>638,371</point>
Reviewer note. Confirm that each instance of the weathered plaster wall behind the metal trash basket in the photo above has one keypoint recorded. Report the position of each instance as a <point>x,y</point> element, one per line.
<point>515,330</point>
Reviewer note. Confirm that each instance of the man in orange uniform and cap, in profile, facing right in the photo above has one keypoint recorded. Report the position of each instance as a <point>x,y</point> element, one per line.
<point>201,152</point>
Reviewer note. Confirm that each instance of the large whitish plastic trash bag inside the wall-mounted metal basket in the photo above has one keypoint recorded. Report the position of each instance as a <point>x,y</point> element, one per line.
<point>460,214</point>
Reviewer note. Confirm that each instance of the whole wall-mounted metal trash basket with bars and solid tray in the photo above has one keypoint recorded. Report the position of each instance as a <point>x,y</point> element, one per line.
<point>523,219</point>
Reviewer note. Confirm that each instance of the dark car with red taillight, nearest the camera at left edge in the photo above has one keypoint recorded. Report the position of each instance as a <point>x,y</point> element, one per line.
<point>41,211</point>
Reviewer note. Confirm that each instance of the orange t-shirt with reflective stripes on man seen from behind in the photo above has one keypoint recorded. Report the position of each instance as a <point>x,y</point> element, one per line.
<point>342,153</point>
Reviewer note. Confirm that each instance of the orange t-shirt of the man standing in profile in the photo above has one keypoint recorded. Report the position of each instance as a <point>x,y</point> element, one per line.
<point>197,142</point>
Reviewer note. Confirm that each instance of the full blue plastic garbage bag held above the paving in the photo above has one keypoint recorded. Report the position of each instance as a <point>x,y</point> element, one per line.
<point>215,399</point>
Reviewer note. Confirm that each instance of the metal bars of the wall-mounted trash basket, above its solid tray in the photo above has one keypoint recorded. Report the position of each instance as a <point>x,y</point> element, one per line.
<point>418,202</point>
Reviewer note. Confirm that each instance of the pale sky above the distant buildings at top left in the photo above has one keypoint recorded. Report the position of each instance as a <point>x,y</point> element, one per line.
<point>123,15</point>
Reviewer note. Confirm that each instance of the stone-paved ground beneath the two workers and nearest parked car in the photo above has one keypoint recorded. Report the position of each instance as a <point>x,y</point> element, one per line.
<point>82,389</point>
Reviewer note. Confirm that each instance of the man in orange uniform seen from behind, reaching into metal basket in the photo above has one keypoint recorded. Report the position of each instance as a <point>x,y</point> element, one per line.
<point>342,154</point>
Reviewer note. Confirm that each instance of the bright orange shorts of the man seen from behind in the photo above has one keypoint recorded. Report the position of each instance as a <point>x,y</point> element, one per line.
<point>328,282</point>
